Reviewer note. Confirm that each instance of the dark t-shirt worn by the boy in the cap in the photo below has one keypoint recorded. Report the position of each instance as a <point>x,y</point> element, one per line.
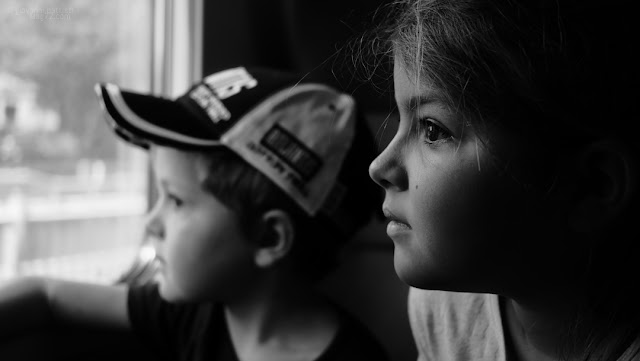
<point>199,331</point>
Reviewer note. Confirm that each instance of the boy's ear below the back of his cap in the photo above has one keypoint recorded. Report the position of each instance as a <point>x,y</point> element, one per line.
<point>276,239</point>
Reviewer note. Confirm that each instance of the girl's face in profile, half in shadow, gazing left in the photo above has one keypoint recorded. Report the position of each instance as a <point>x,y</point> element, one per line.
<point>458,221</point>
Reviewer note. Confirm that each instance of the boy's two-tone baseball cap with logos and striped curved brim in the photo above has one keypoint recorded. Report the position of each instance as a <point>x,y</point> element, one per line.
<point>295,132</point>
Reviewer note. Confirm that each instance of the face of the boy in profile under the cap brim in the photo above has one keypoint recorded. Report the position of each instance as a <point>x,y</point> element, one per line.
<point>201,249</point>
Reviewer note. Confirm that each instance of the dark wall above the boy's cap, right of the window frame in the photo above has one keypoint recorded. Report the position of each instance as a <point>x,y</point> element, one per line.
<point>301,36</point>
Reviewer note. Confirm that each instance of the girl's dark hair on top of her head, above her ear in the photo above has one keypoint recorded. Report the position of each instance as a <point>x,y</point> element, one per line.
<point>515,62</point>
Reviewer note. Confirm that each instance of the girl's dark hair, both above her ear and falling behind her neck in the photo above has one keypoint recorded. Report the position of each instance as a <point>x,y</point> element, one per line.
<point>560,74</point>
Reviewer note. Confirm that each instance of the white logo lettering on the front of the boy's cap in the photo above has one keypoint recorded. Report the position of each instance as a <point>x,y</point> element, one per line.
<point>219,86</point>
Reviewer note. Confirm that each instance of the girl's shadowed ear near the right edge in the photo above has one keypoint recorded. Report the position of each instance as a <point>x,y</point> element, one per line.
<point>609,178</point>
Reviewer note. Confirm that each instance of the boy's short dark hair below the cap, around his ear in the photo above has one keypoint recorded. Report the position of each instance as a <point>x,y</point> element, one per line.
<point>318,240</point>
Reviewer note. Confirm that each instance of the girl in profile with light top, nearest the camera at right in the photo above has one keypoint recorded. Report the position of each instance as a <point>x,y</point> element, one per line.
<point>512,179</point>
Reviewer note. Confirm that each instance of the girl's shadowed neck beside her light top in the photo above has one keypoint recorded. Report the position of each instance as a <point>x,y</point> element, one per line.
<point>540,308</point>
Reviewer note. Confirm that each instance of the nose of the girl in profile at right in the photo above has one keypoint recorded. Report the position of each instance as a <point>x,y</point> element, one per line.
<point>388,169</point>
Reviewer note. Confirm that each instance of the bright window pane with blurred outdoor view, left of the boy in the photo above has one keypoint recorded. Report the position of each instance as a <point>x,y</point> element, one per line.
<point>72,195</point>
